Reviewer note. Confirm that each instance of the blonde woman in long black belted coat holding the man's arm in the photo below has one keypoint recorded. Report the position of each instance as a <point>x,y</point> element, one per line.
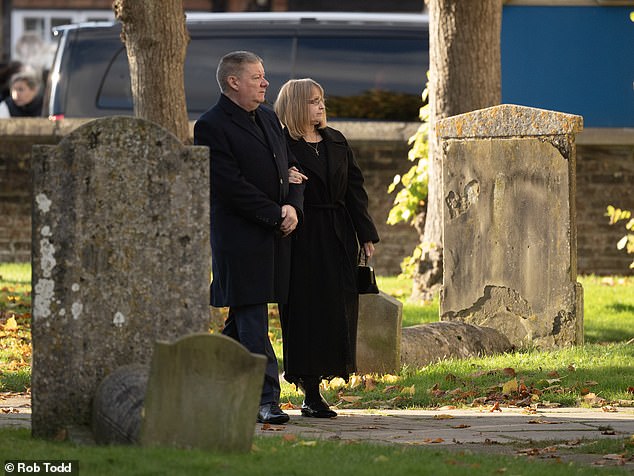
<point>319,322</point>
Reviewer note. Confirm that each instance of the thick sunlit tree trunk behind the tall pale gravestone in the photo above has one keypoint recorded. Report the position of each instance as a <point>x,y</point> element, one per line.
<point>464,58</point>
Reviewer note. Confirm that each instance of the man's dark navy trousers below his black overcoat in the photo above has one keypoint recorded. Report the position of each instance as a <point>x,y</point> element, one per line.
<point>249,325</point>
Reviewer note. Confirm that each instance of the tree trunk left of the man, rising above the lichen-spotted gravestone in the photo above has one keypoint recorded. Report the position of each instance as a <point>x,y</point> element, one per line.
<point>156,38</point>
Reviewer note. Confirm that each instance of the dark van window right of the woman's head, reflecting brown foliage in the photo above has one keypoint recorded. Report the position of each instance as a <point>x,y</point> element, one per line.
<point>367,77</point>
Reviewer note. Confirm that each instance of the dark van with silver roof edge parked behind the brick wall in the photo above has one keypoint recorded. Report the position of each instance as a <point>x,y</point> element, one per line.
<point>373,66</point>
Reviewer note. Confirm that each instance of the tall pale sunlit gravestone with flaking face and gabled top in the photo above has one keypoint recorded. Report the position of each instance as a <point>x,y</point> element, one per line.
<point>510,246</point>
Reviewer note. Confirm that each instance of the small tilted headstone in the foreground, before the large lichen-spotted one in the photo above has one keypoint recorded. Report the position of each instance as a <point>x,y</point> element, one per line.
<point>203,392</point>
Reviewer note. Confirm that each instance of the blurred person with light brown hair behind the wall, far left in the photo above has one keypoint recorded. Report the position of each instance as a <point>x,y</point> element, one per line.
<point>26,97</point>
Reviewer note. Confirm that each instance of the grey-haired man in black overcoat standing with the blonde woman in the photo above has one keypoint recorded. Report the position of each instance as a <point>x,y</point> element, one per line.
<point>254,209</point>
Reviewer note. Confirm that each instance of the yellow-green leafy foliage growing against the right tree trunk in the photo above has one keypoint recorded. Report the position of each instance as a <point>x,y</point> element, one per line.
<point>411,198</point>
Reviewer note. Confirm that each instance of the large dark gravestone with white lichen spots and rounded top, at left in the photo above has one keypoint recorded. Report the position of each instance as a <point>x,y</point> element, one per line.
<point>120,258</point>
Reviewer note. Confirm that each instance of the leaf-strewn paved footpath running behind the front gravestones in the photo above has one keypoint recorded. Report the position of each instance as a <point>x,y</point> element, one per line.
<point>545,432</point>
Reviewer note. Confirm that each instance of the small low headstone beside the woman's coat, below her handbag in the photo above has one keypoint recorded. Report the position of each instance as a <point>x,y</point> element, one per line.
<point>379,334</point>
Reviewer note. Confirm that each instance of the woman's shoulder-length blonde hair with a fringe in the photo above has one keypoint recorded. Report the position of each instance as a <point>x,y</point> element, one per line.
<point>292,108</point>
